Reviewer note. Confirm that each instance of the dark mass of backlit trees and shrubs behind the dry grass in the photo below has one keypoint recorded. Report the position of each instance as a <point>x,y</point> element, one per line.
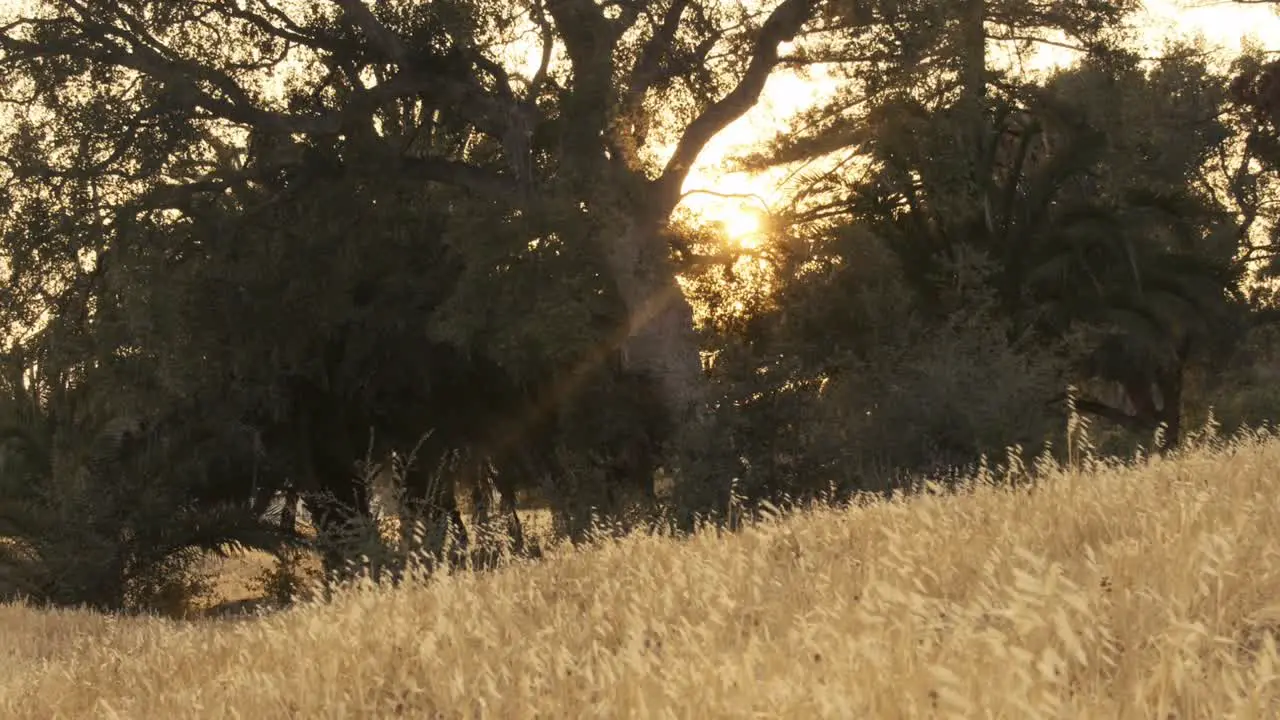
<point>250,248</point>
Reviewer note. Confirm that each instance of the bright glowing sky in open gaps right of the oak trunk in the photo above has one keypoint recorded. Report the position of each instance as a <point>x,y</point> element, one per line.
<point>1220,24</point>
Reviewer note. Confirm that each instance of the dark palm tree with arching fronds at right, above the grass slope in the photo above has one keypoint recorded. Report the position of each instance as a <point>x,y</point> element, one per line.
<point>1146,274</point>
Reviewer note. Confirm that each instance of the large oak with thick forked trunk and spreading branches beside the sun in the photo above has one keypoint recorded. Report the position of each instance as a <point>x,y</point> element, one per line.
<point>149,99</point>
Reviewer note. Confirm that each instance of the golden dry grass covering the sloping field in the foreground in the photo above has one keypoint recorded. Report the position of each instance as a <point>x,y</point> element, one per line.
<point>1146,593</point>
